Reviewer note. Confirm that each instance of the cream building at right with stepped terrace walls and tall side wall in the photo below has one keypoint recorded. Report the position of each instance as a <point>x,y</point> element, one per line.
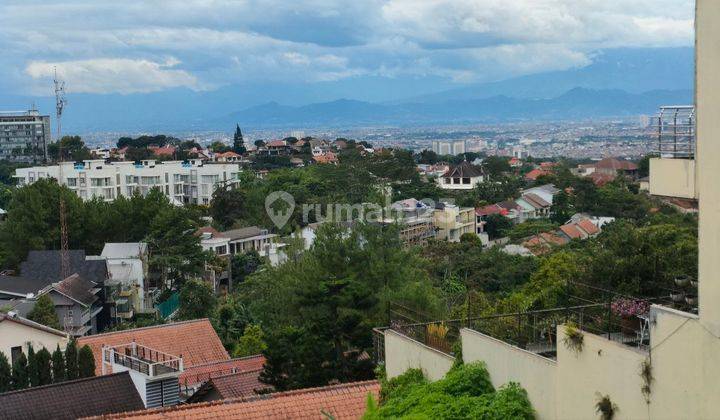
<point>663,364</point>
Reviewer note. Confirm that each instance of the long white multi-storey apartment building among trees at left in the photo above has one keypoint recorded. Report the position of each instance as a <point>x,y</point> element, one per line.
<point>189,182</point>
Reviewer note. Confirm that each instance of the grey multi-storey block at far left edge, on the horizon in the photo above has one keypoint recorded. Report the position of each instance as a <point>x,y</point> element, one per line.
<point>24,136</point>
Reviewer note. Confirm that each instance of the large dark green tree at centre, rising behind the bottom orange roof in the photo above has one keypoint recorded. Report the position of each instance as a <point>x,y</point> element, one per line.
<point>326,303</point>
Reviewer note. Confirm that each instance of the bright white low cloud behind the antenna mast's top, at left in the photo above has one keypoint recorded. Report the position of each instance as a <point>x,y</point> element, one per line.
<point>108,75</point>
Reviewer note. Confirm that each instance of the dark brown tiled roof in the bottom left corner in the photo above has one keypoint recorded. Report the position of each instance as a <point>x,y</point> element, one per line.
<point>69,400</point>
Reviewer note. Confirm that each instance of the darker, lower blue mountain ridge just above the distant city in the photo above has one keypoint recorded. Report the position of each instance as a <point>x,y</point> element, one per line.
<point>577,103</point>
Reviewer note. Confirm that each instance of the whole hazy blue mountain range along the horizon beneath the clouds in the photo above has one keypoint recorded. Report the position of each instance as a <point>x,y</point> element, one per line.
<point>618,82</point>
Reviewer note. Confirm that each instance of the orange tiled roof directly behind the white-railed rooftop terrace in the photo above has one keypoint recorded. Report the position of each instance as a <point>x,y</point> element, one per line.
<point>196,341</point>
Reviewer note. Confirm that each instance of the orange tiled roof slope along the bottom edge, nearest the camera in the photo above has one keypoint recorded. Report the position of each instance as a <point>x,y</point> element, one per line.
<point>344,401</point>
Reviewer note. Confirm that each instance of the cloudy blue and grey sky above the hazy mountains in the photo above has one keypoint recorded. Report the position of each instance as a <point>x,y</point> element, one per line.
<point>132,46</point>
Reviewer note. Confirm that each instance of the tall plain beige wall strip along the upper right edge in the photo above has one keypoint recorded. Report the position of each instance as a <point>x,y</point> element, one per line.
<point>707,102</point>
